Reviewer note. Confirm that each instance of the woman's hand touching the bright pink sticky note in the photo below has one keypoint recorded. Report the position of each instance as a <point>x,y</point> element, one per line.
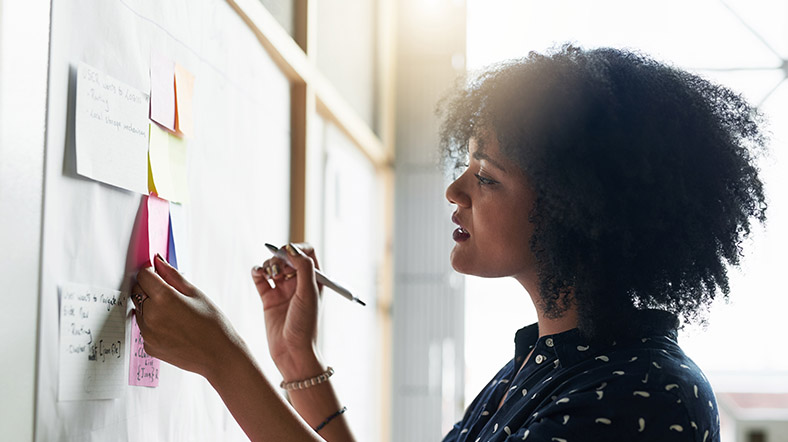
<point>179,324</point>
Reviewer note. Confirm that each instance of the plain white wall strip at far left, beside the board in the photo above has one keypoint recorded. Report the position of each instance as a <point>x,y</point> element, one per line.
<point>24,43</point>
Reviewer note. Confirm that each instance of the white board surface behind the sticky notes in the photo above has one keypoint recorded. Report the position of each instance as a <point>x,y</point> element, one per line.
<point>238,168</point>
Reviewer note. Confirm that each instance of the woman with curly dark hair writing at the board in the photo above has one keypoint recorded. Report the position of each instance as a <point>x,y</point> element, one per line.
<point>615,189</point>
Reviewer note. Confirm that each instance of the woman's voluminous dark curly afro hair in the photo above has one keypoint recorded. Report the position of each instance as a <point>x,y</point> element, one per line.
<point>644,175</point>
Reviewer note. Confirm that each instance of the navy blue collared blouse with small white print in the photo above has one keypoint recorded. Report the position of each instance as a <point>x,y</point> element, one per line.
<point>637,389</point>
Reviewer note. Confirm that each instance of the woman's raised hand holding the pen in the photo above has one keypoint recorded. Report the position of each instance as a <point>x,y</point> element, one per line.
<point>290,305</point>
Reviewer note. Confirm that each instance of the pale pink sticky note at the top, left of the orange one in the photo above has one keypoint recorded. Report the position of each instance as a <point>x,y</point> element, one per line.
<point>162,90</point>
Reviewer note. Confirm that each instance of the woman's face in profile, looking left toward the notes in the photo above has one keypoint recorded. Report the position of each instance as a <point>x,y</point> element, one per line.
<point>493,200</point>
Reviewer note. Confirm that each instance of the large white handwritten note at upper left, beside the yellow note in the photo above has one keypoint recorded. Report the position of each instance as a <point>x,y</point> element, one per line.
<point>111,130</point>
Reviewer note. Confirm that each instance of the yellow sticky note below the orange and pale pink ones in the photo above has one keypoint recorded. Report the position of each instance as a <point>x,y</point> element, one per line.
<point>167,156</point>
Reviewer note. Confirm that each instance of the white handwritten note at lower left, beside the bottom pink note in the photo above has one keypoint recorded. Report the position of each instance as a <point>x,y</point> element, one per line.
<point>92,340</point>
